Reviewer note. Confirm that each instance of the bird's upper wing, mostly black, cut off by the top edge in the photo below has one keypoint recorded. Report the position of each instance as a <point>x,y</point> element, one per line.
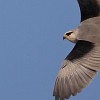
<point>89,8</point>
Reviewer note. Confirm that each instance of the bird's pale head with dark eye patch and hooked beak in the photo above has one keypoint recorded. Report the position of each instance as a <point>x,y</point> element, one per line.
<point>71,36</point>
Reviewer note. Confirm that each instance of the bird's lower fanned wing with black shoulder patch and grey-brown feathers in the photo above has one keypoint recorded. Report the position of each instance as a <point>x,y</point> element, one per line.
<point>78,70</point>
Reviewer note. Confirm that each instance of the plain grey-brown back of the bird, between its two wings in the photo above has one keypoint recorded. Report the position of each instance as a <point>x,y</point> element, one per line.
<point>89,30</point>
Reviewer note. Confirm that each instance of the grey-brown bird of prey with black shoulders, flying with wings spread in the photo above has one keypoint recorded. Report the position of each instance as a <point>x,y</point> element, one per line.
<point>82,64</point>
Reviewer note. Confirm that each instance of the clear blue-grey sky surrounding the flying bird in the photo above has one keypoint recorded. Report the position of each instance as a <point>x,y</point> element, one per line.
<point>32,49</point>
